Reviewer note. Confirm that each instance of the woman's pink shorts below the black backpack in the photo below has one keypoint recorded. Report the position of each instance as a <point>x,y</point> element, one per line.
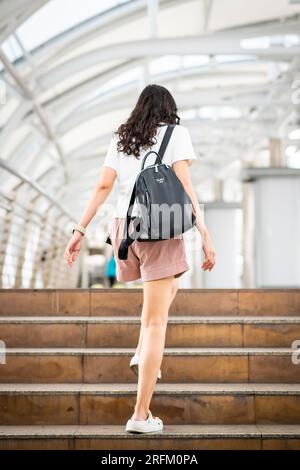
<point>148,260</point>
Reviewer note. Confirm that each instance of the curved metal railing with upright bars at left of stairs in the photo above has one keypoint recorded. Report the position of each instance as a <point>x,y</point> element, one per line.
<point>16,238</point>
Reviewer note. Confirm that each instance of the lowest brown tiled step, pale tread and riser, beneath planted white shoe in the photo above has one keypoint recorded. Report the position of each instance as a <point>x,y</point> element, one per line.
<point>173,437</point>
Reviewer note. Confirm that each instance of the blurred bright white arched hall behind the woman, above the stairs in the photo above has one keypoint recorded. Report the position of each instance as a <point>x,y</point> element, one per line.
<point>70,73</point>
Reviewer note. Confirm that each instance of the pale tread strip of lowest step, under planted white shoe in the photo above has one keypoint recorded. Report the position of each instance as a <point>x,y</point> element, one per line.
<point>190,431</point>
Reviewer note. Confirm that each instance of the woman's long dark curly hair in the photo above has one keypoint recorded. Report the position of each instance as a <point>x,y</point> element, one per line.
<point>154,106</point>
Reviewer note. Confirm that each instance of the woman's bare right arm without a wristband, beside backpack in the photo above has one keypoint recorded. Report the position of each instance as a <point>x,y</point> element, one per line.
<point>181,168</point>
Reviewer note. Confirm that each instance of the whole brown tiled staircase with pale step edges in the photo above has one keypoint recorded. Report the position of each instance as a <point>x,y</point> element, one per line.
<point>228,380</point>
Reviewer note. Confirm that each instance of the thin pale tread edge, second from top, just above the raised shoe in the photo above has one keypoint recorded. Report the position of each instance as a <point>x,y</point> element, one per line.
<point>167,352</point>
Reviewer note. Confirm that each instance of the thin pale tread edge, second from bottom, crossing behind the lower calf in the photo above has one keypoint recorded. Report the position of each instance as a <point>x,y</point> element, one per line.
<point>165,388</point>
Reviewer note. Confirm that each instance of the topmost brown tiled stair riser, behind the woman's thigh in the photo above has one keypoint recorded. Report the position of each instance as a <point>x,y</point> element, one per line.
<point>91,302</point>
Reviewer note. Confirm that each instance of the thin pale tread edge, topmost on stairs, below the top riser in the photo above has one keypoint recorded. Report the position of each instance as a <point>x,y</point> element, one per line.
<point>185,319</point>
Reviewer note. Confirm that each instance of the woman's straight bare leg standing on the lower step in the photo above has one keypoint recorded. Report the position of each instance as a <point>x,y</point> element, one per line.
<point>157,296</point>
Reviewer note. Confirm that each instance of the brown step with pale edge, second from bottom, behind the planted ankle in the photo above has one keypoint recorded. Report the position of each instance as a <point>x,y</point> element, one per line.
<point>112,404</point>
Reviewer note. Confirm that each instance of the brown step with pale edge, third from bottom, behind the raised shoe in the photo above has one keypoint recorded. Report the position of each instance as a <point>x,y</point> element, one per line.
<point>188,365</point>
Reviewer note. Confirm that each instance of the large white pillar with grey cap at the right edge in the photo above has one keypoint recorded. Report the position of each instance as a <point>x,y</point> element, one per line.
<point>276,233</point>
